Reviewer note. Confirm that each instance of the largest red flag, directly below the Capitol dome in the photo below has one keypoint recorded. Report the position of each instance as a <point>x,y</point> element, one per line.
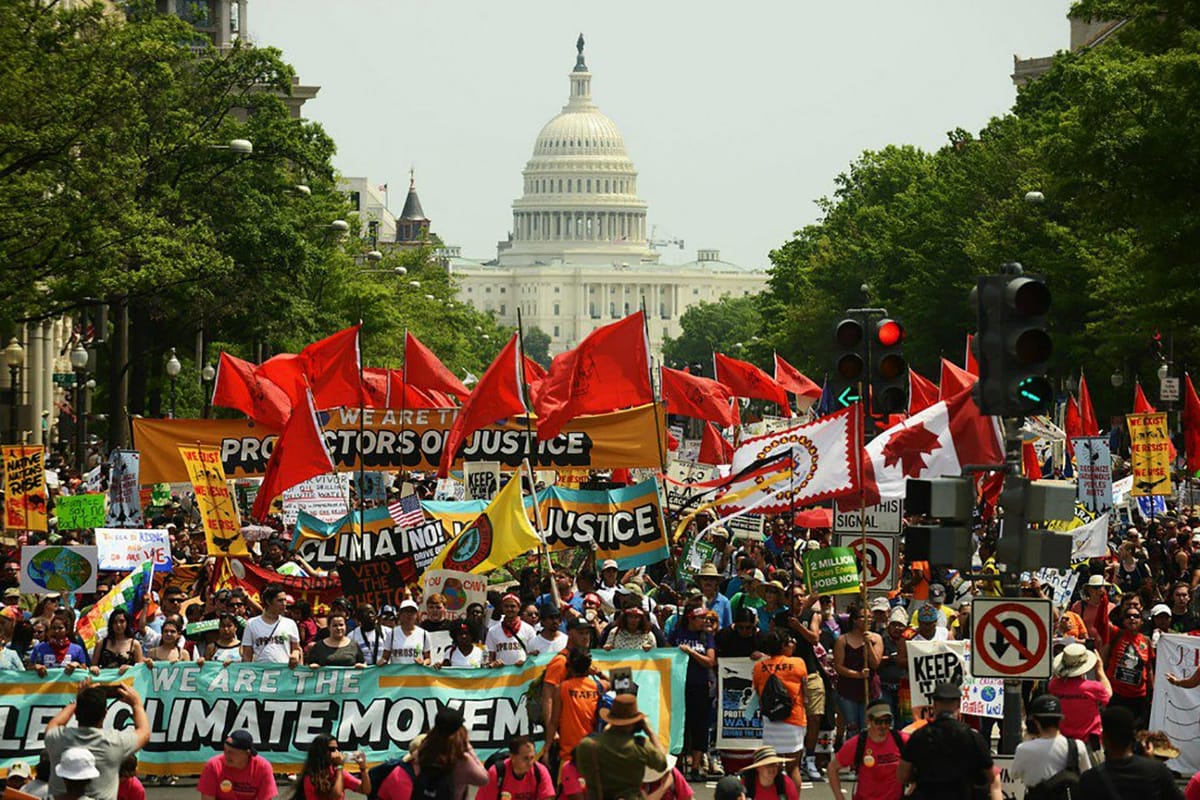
<point>608,371</point>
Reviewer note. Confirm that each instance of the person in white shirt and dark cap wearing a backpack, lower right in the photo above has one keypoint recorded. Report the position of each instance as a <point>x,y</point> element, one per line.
<point>1051,763</point>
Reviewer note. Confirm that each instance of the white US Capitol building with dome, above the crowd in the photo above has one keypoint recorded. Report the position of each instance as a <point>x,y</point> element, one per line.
<point>579,256</point>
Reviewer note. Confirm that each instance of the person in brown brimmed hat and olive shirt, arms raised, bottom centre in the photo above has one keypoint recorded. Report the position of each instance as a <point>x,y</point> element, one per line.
<point>626,756</point>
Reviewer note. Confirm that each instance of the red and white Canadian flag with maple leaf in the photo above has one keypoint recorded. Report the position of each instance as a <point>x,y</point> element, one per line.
<point>935,443</point>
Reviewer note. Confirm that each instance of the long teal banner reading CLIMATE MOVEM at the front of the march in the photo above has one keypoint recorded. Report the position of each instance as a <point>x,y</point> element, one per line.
<point>379,711</point>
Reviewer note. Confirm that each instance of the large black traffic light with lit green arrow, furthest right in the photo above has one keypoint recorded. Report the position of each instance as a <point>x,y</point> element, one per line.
<point>1012,344</point>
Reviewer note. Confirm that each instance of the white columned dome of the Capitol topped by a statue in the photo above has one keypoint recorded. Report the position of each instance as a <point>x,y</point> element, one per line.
<point>580,201</point>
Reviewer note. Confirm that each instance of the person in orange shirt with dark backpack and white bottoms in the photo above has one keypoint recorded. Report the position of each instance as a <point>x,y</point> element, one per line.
<point>779,681</point>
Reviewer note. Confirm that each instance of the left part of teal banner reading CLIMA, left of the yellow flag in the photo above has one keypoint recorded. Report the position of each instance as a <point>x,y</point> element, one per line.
<point>323,544</point>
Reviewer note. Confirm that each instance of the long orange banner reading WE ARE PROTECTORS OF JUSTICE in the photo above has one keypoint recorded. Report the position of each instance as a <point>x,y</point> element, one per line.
<point>613,441</point>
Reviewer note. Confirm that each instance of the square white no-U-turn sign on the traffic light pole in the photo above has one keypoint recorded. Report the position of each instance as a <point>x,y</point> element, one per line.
<point>1011,639</point>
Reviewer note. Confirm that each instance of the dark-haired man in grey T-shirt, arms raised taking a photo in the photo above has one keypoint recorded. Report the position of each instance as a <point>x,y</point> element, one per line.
<point>109,748</point>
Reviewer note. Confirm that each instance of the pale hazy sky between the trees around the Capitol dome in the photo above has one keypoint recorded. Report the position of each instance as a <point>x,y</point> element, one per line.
<point>737,117</point>
